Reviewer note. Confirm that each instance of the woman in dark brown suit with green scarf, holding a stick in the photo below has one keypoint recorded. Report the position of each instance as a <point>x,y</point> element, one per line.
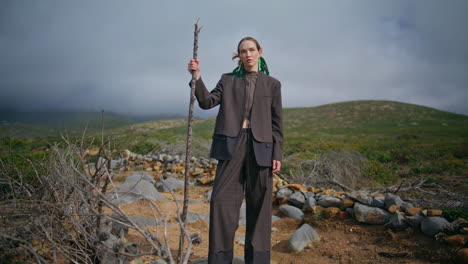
<point>247,141</point>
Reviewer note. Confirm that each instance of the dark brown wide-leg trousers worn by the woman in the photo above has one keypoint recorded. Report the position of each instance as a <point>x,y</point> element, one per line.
<point>233,178</point>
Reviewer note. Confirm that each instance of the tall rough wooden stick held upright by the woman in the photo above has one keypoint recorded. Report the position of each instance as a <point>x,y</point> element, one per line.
<point>188,149</point>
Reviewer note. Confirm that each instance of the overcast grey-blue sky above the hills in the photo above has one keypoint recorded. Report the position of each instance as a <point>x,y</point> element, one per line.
<point>131,56</point>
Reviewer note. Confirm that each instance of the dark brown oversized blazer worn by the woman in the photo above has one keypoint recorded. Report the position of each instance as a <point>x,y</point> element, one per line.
<point>265,119</point>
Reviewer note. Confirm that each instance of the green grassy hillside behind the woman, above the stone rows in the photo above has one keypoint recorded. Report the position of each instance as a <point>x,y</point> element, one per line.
<point>396,139</point>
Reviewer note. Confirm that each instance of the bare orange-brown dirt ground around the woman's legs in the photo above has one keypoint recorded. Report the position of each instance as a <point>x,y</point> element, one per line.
<point>342,241</point>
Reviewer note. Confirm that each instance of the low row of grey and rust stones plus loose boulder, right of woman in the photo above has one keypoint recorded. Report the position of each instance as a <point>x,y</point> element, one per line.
<point>371,208</point>
